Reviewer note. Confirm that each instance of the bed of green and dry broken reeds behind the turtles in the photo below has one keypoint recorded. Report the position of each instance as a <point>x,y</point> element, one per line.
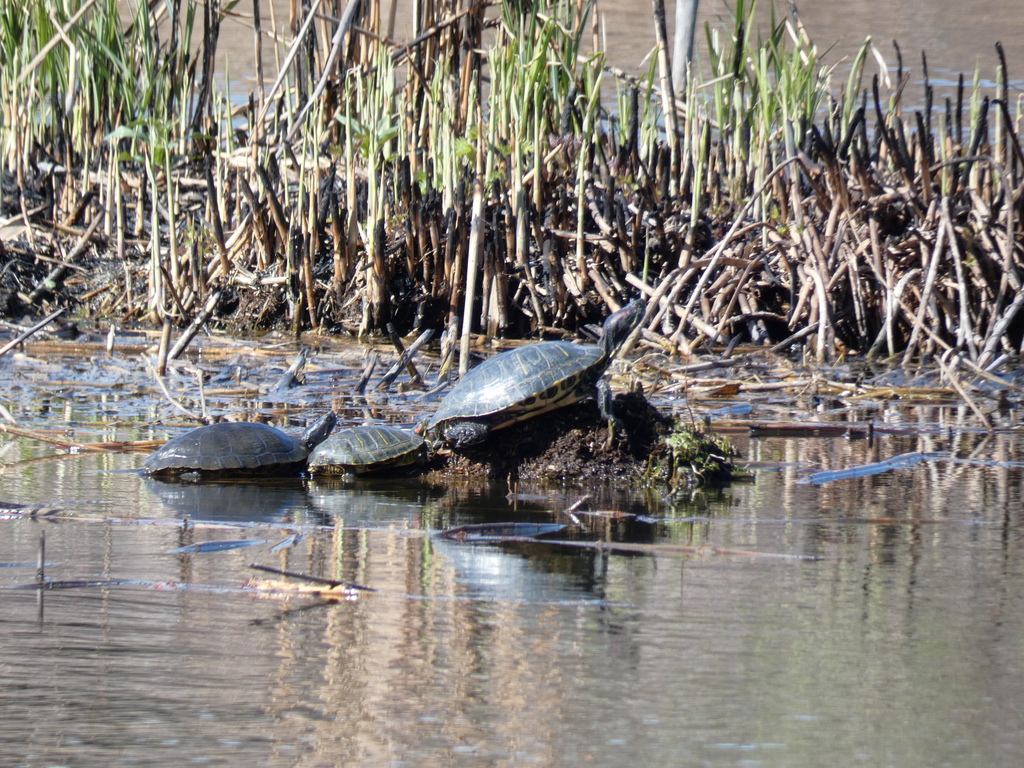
<point>493,176</point>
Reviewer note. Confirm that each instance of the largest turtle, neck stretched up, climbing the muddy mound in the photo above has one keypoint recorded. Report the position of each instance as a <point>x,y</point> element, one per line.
<point>522,383</point>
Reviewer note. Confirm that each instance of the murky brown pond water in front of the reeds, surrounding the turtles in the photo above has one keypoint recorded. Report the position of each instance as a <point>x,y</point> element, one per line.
<point>900,647</point>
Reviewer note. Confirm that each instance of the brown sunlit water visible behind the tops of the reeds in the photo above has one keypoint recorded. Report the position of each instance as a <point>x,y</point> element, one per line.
<point>958,38</point>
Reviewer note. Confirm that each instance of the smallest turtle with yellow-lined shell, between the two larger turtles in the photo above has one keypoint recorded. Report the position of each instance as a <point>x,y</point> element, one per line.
<point>368,449</point>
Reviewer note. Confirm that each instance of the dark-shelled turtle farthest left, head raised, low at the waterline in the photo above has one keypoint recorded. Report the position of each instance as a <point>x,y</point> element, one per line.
<point>240,448</point>
